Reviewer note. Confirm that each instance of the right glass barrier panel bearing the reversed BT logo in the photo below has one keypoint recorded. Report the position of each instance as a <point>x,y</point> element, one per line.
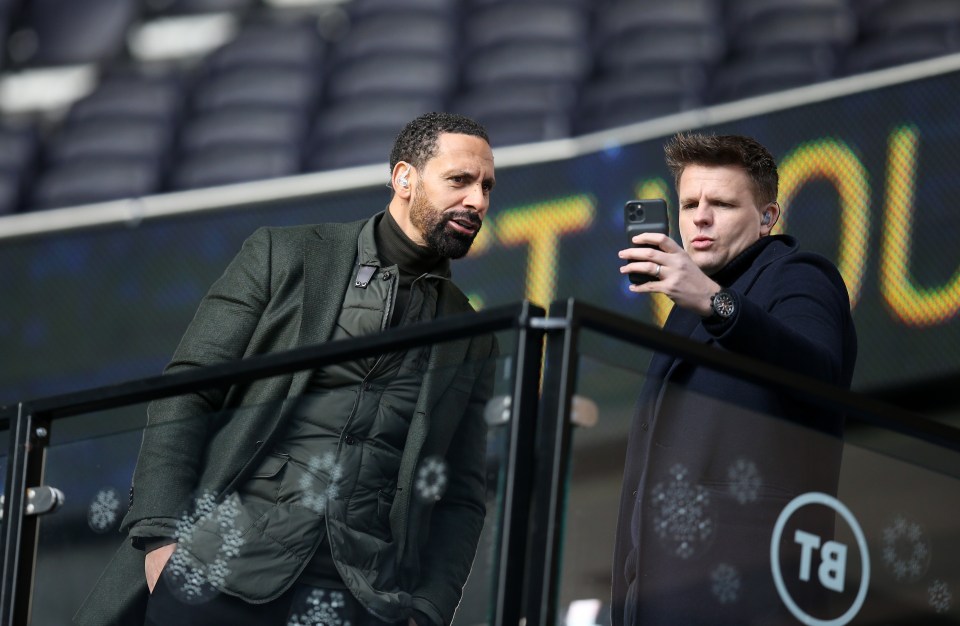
<point>734,516</point>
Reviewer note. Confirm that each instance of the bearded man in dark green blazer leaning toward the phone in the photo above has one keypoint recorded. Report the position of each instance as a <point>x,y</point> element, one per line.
<point>289,499</point>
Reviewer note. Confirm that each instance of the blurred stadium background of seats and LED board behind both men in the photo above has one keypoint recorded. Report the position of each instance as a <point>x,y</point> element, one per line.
<point>142,140</point>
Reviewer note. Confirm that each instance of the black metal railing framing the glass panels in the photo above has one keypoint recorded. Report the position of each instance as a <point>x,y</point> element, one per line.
<point>544,377</point>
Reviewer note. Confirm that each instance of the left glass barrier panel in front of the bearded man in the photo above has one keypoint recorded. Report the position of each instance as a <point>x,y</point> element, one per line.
<point>333,485</point>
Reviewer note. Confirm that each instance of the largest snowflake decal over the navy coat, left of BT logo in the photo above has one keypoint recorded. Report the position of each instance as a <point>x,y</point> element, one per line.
<point>681,513</point>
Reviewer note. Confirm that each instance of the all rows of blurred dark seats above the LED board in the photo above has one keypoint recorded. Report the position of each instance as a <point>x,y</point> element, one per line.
<point>310,88</point>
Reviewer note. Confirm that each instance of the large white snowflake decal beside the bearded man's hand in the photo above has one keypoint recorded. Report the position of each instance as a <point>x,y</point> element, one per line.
<point>194,582</point>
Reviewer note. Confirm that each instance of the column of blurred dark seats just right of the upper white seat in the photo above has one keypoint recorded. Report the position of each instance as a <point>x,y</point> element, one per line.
<point>251,107</point>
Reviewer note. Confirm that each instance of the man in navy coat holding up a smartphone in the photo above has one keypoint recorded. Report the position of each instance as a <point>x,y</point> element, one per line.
<point>713,459</point>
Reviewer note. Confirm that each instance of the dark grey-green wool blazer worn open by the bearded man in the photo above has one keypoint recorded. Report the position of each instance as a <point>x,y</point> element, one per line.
<point>283,290</point>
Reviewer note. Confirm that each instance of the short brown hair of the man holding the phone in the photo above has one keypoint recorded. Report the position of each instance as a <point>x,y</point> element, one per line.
<point>717,150</point>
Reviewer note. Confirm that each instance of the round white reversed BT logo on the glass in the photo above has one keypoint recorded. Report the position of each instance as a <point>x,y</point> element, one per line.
<point>826,560</point>
